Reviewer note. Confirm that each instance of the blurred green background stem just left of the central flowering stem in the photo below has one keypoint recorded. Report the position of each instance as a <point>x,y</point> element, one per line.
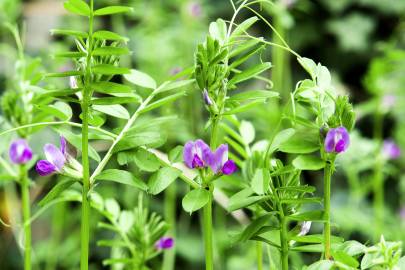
<point>169,256</point>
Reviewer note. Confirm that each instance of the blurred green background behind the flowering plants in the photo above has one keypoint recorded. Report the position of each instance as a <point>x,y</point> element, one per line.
<point>361,41</point>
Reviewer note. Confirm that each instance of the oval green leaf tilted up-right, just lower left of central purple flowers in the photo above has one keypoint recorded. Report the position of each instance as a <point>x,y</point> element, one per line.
<point>162,179</point>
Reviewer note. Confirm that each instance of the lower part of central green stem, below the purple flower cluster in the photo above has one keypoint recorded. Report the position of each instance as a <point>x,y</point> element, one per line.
<point>207,223</point>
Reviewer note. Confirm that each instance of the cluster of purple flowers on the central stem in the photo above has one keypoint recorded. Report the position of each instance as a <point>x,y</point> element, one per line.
<point>199,155</point>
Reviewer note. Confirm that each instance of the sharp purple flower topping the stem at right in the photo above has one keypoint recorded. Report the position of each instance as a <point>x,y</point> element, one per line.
<point>337,140</point>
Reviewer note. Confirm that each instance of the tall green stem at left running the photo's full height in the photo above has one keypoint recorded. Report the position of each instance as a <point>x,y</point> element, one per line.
<point>85,228</point>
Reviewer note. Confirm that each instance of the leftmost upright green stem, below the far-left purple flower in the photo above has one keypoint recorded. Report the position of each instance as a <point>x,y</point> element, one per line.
<point>25,193</point>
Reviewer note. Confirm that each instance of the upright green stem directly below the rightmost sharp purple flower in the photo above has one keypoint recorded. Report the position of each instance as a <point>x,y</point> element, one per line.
<point>327,183</point>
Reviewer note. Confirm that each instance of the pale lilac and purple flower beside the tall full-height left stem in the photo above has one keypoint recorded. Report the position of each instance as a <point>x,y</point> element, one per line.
<point>55,159</point>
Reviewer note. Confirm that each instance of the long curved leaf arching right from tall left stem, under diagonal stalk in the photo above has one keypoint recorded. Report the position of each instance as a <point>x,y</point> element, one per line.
<point>122,177</point>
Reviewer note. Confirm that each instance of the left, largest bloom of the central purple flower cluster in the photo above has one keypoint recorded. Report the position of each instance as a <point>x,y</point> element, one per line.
<point>196,154</point>
